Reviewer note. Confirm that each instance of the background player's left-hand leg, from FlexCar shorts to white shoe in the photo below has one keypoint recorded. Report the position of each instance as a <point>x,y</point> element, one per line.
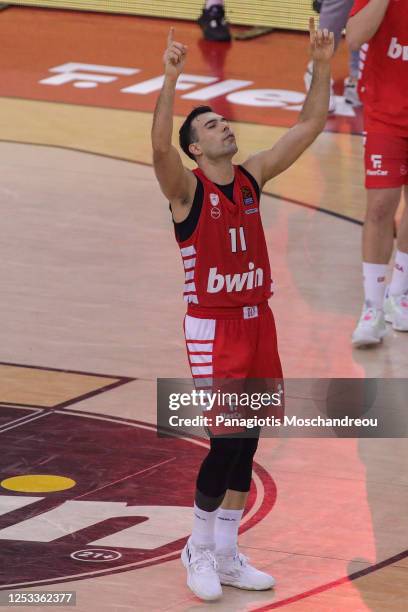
<point>383,182</point>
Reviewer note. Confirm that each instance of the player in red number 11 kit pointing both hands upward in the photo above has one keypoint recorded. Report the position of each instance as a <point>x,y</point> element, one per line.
<point>229,327</point>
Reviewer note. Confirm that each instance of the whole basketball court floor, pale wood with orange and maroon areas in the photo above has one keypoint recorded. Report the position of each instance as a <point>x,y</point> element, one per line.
<point>92,314</point>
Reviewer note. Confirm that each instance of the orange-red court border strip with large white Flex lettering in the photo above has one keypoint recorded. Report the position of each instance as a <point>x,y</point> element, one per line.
<point>116,62</point>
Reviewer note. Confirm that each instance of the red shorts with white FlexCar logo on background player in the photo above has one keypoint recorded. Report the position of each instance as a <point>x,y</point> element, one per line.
<point>386,160</point>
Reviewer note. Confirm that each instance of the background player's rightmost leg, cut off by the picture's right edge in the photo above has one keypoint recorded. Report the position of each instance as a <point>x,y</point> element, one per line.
<point>396,303</point>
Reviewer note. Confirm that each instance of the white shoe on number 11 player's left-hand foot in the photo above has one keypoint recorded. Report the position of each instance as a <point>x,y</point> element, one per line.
<point>202,577</point>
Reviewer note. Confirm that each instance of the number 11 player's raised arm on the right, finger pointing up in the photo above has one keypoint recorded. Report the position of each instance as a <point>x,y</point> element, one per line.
<point>267,164</point>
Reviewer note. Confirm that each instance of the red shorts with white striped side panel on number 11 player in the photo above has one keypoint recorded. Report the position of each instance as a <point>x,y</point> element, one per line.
<point>238,343</point>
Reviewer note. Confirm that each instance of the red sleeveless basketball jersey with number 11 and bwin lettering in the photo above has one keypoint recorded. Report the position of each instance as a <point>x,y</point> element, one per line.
<point>226,260</point>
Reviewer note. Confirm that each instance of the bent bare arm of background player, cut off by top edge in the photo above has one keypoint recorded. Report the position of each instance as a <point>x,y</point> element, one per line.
<point>362,26</point>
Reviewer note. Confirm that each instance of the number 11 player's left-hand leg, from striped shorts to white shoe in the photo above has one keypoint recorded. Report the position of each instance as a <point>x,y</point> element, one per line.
<point>218,350</point>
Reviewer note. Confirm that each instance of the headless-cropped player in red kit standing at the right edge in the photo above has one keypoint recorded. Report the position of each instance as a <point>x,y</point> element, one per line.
<point>382,27</point>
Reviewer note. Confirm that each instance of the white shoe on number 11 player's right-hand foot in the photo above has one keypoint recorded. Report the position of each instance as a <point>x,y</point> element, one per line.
<point>234,570</point>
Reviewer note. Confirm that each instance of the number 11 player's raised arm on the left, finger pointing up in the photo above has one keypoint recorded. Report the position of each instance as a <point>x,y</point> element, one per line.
<point>176,182</point>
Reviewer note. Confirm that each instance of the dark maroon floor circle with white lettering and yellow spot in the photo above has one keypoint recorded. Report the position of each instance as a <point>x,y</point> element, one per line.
<point>129,504</point>
